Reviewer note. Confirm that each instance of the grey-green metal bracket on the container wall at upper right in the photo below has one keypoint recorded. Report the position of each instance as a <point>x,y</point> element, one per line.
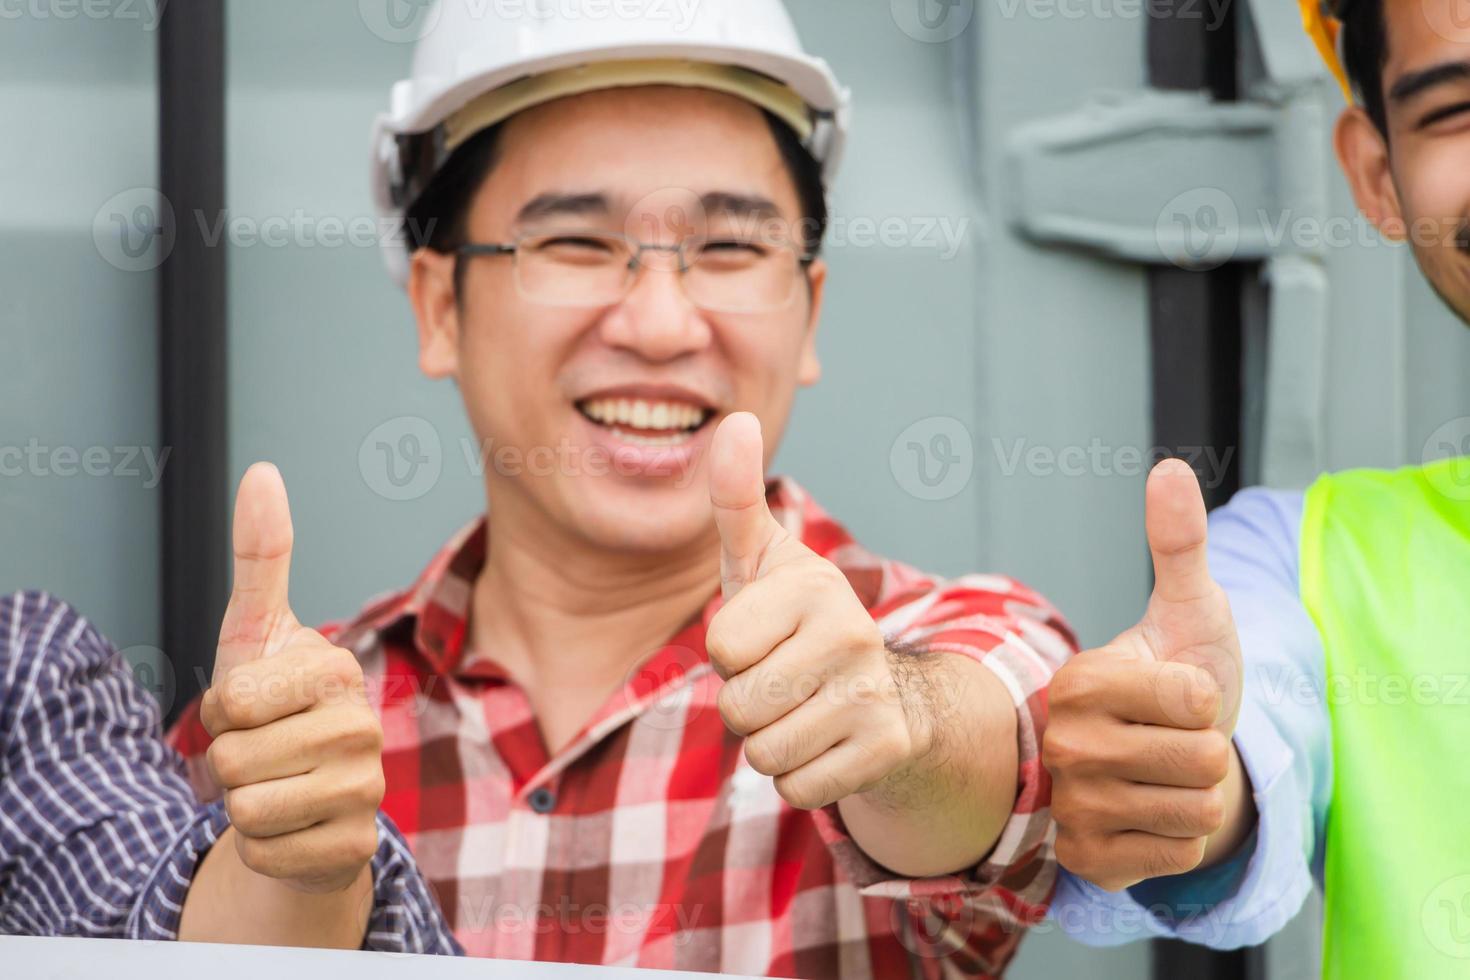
<point>1177,179</point>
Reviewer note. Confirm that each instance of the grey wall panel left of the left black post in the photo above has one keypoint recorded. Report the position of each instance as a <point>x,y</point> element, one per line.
<point>77,412</point>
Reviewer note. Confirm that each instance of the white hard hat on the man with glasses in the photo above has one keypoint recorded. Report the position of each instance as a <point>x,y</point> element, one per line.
<point>483,61</point>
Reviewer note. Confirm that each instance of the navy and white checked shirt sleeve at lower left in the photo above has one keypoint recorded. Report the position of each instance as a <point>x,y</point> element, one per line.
<point>99,831</point>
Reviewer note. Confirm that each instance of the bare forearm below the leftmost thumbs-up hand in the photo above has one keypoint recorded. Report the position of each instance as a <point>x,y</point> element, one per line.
<point>232,904</point>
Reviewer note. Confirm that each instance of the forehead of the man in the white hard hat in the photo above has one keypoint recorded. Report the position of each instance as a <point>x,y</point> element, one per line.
<point>630,143</point>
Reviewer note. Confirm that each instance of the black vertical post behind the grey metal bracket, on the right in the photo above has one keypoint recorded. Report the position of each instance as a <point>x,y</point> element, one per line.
<point>1197,330</point>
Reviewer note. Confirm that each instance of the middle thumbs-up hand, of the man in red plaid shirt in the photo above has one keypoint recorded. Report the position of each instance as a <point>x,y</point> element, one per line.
<point>808,677</point>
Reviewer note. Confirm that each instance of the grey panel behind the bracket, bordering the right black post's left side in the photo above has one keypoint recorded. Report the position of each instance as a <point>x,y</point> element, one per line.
<point>1062,367</point>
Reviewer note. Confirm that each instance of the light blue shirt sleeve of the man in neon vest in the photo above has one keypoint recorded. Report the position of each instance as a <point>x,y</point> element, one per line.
<point>1284,741</point>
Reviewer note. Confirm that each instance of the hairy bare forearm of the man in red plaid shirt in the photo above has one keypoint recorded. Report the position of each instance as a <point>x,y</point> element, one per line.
<point>944,813</point>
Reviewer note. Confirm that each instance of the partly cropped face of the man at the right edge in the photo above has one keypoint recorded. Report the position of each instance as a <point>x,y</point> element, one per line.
<point>1415,184</point>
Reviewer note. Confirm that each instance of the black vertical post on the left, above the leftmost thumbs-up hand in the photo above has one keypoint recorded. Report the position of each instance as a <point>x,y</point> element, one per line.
<point>192,342</point>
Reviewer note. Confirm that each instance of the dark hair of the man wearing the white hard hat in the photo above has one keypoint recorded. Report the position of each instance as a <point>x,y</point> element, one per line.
<point>439,218</point>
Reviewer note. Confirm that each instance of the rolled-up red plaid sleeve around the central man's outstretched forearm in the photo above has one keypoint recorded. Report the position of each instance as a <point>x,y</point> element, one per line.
<point>977,919</point>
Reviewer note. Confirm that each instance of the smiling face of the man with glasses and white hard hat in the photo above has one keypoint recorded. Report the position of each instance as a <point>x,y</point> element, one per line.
<point>609,400</point>
